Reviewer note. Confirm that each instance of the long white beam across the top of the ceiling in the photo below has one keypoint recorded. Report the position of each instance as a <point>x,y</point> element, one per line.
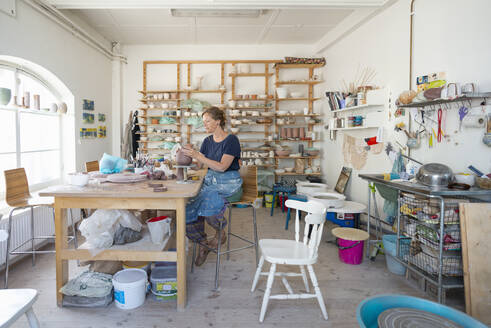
<point>213,4</point>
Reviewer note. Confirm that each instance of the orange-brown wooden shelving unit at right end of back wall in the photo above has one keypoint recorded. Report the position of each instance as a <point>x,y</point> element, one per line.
<point>310,82</point>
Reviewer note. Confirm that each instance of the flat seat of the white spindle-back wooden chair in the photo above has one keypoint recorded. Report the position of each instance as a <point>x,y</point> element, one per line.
<point>284,251</point>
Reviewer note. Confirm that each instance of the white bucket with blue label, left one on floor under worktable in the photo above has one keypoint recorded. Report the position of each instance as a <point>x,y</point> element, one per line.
<point>130,288</point>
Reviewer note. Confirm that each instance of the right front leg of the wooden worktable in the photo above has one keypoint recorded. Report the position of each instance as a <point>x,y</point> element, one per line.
<point>181,254</point>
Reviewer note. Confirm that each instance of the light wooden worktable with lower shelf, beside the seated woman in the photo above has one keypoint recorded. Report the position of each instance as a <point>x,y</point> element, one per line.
<point>137,196</point>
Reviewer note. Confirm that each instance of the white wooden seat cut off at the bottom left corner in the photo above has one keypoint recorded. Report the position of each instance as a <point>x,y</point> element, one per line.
<point>16,302</point>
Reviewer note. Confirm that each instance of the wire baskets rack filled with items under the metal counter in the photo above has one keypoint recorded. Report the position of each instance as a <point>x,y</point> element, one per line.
<point>420,233</point>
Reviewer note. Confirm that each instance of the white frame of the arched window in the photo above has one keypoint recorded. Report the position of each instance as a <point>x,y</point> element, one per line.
<point>18,72</point>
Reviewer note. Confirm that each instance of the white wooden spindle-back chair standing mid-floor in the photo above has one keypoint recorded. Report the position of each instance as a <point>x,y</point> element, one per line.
<point>294,252</point>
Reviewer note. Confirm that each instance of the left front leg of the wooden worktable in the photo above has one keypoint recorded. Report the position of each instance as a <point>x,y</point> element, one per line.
<point>60,244</point>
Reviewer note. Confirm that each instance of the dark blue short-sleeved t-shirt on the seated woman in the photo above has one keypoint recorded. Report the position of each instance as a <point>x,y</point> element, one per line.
<point>215,150</point>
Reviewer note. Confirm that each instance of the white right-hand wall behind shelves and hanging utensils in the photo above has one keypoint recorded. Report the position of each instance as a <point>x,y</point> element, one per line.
<point>449,36</point>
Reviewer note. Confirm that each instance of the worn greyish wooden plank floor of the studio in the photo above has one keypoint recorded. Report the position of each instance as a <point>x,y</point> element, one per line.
<point>343,286</point>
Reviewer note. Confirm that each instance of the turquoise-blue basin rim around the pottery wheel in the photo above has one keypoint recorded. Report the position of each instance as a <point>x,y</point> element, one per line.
<point>368,311</point>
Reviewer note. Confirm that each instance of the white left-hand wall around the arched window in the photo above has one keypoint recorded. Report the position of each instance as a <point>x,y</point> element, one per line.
<point>86,72</point>
